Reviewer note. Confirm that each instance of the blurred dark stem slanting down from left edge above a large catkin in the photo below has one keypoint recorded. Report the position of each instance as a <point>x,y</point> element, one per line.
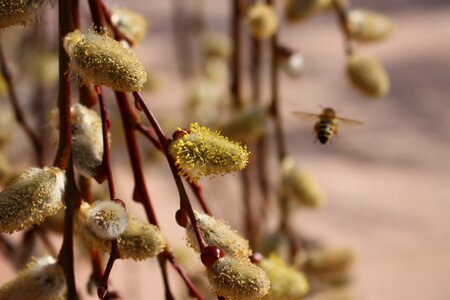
<point>20,116</point>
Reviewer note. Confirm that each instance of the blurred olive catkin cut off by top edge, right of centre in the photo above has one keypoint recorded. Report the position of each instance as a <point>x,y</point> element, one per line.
<point>299,10</point>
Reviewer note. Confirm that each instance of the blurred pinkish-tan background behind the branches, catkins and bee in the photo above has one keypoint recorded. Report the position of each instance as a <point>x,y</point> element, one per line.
<point>386,182</point>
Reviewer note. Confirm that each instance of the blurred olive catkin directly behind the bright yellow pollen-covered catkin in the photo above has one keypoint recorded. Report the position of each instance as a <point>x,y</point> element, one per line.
<point>248,124</point>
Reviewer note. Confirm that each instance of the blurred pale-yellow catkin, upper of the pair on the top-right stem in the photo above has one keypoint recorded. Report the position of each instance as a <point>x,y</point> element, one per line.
<point>368,26</point>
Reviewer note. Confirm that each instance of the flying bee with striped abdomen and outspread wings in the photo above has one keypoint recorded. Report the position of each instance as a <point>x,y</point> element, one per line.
<point>327,126</point>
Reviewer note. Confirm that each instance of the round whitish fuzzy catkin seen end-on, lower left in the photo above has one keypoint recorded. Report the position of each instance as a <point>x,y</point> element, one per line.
<point>106,219</point>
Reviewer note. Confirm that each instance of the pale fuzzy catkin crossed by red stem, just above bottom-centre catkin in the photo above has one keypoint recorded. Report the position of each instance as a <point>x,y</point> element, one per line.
<point>216,232</point>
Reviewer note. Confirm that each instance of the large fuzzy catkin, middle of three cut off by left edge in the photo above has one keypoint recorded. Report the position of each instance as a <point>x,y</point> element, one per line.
<point>31,197</point>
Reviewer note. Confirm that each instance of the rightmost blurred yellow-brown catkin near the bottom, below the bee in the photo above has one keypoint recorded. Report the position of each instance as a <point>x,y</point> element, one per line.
<point>329,265</point>
